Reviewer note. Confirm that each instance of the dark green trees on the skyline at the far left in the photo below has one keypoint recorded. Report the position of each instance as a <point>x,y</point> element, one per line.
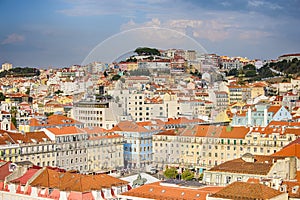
<point>21,72</point>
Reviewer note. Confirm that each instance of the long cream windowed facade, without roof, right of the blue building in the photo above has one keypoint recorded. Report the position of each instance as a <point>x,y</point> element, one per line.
<point>205,152</point>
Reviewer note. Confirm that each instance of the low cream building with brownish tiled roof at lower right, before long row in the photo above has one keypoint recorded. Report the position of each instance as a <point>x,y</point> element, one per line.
<point>252,166</point>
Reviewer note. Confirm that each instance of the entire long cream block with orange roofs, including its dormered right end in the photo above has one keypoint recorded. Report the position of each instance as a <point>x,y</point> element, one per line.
<point>201,147</point>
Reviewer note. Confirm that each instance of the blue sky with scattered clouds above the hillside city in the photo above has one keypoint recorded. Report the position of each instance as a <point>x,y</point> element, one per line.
<point>60,33</point>
